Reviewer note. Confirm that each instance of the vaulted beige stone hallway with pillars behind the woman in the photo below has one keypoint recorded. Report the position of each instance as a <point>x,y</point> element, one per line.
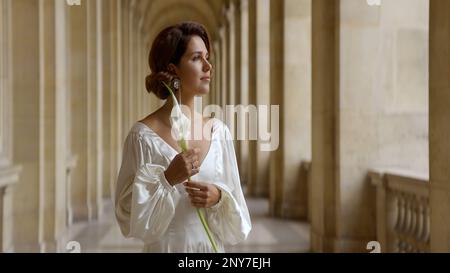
<point>347,102</point>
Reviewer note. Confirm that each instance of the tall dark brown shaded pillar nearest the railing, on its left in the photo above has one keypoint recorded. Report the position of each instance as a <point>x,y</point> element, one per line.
<point>325,60</point>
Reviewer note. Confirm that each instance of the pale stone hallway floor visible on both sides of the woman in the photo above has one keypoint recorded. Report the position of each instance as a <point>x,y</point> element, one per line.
<point>268,234</point>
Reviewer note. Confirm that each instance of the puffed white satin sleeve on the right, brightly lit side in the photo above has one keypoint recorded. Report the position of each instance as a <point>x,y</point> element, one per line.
<point>229,218</point>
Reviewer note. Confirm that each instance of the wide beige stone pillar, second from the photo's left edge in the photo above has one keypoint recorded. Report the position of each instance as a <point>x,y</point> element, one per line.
<point>26,95</point>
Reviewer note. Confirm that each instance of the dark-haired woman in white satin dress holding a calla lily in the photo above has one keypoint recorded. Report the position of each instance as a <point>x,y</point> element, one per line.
<point>154,202</point>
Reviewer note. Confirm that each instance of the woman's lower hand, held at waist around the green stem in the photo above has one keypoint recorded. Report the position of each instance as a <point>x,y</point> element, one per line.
<point>203,195</point>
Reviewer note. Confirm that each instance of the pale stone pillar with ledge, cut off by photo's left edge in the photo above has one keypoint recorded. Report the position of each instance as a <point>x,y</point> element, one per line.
<point>9,172</point>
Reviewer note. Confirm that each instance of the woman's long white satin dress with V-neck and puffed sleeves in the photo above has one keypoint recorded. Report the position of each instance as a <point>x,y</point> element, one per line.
<point>149,208</point>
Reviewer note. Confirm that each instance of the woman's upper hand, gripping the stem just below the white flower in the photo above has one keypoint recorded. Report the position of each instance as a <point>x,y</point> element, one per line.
<point>183,166</point>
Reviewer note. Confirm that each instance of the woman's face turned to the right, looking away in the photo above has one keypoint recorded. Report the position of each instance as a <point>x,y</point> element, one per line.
<point>194,69</point>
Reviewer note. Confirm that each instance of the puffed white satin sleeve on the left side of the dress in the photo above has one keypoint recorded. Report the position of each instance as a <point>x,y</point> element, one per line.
<point>145,202</point>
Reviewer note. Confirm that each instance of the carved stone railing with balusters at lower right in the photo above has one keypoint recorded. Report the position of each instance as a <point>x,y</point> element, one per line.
<point>402,211</point>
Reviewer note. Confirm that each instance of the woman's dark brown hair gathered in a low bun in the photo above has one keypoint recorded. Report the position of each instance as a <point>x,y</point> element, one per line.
<point>168,48</point>
